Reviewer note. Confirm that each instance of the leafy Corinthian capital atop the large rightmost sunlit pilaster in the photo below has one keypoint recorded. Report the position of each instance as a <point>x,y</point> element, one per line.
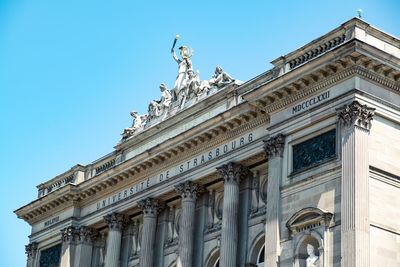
<point>356,114</point>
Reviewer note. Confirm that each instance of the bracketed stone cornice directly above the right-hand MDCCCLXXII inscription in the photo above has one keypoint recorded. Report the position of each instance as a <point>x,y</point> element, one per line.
<point>327,76</point>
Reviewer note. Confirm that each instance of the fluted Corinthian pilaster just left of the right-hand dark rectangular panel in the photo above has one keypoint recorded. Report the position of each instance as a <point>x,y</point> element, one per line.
<point>274,150</point>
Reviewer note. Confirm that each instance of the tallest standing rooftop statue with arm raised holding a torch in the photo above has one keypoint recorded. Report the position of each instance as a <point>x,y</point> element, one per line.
<point>184,65</point>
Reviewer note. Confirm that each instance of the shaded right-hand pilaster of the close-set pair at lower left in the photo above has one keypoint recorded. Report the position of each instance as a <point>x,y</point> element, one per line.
<point>84,247</point>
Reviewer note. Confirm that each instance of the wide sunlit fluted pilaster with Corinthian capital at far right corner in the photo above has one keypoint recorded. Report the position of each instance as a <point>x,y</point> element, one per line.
<point>355,121</point>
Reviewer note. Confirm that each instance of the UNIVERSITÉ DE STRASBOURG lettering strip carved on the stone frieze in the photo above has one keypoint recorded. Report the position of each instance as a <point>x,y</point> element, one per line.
<point>184,166</point>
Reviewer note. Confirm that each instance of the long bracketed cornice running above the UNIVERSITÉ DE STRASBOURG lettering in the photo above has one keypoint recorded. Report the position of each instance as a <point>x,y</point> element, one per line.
<point>231,124</point>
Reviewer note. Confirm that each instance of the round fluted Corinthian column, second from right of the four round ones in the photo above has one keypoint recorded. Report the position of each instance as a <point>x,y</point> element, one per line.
<point>189,192</point>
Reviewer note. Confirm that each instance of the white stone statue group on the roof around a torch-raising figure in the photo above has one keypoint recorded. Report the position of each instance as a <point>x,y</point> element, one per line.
<point>187,86</point>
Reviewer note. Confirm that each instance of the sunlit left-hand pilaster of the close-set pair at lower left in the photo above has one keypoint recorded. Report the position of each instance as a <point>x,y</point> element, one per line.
<point>69,236</point>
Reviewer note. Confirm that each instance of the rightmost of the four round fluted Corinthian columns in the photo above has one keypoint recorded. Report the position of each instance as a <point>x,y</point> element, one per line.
<point>231,173</point>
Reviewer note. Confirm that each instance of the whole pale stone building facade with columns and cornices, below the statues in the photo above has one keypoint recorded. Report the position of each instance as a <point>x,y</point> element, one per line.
<point>296,167</point>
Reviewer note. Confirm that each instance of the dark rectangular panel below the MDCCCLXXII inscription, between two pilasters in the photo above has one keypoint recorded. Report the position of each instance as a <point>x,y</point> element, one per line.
<point>314,151</point>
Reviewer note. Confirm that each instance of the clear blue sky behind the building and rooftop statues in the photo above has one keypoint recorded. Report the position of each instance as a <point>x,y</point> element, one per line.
<point>71,71</point>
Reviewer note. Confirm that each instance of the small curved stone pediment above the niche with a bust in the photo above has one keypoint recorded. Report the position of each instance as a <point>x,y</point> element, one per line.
<point>307,219</point>
